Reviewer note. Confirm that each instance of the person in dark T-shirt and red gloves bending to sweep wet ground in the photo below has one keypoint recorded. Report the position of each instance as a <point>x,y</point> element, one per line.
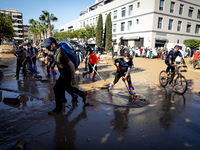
<point>123,70</point>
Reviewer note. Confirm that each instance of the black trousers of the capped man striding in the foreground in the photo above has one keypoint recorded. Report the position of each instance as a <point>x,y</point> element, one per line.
<point>64,83</point>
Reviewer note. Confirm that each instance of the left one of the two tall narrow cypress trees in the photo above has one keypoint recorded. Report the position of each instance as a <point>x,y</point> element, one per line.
<point>99,31</point>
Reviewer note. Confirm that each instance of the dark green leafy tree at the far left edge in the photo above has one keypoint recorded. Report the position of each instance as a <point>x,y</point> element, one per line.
<point>6,27</point>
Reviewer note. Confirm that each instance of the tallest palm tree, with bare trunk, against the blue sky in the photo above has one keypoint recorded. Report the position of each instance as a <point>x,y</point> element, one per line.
<point>47,17</point>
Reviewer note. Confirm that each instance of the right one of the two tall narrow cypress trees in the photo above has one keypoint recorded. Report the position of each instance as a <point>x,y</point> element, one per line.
<point>108,40</point>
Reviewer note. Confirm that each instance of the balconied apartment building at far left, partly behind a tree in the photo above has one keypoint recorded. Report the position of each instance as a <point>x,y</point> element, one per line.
<point>18,23</point>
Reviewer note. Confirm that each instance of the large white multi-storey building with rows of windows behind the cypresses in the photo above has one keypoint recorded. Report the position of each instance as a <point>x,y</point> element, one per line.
<point>145,22</point>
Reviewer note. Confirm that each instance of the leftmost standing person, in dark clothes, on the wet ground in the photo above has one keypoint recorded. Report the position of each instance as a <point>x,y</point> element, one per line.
<point>21,60</point>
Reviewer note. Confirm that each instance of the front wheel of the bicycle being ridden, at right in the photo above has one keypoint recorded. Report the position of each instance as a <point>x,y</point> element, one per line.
<point>180,84</point>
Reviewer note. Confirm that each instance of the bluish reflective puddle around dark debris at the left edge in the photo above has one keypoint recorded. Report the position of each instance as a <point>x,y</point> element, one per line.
<point>24,101</point>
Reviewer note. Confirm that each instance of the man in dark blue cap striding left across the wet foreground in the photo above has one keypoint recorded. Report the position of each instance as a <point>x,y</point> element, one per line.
<point>67,75</point>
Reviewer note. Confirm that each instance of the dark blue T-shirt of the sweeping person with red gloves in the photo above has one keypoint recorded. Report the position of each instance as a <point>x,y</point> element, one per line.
<point>124,66</point>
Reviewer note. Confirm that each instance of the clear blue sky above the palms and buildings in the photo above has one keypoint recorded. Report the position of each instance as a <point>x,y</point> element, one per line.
<point>64,10</point>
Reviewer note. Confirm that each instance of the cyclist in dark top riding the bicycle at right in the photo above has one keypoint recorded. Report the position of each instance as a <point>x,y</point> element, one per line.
<point>171,57</point>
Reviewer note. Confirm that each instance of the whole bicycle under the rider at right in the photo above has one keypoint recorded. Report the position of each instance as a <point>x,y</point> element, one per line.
<point>177,80</point>
